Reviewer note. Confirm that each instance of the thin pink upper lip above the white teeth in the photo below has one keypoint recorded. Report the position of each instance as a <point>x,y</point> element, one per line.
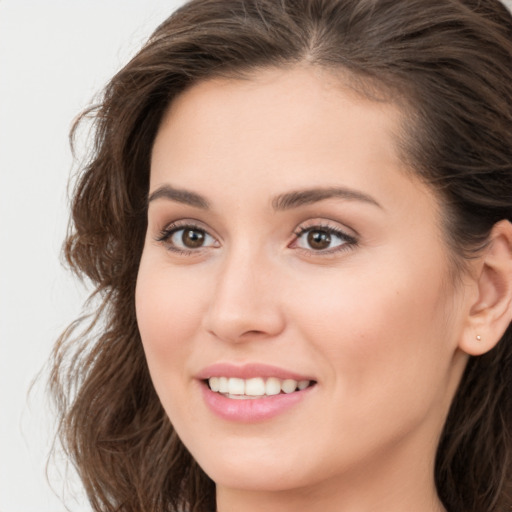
<point>248,371</point>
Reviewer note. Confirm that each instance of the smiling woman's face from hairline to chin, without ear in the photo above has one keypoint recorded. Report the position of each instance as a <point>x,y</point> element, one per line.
<point>294,261</point>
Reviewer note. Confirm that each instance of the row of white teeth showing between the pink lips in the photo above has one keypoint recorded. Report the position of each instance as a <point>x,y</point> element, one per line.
<point>257,387</point>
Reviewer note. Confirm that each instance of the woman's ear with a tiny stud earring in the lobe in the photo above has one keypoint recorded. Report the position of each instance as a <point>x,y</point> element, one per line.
<point>490,311</point>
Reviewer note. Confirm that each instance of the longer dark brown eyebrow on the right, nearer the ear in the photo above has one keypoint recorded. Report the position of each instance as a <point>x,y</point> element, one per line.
<point>303,197</point>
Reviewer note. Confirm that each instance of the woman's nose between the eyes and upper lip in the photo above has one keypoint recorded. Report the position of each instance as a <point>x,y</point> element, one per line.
<point>244,304</point>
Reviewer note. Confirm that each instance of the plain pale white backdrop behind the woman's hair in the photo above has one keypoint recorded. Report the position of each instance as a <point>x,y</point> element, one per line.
<point>54,56</point>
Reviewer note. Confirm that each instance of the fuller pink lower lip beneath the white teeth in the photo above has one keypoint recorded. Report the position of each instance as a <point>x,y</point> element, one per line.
<point>253,409</point>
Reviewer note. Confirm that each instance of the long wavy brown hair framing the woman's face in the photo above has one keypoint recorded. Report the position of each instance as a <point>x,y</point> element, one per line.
<point>447,62</point>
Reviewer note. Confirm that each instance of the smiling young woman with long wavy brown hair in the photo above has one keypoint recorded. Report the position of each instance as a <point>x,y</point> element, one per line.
<point>297,219</point>
